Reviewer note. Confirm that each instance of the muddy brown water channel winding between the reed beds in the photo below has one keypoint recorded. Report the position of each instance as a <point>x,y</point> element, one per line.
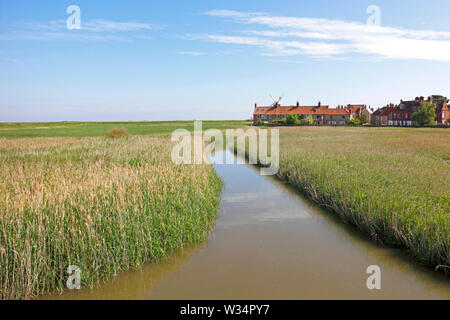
<point>269,242</point>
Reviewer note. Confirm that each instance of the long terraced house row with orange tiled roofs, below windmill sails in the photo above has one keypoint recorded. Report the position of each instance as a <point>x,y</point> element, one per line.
<point>321,114</point>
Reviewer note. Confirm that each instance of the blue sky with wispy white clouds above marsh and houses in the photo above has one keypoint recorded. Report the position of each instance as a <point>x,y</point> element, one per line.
<point>182,60</point>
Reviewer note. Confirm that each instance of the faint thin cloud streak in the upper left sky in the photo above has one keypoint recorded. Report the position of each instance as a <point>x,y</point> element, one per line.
<point>92,30</point>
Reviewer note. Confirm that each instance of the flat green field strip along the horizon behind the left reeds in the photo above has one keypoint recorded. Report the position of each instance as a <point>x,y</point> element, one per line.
<point>91,129</point>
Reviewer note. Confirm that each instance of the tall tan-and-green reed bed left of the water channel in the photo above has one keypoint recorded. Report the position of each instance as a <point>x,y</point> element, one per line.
<point>102,204</point>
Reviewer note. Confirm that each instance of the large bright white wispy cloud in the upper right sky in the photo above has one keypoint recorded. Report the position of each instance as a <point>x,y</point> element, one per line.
<point>324,38</point>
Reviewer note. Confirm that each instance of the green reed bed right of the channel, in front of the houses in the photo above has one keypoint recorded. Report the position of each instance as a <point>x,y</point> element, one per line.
<point>392,183</point>
